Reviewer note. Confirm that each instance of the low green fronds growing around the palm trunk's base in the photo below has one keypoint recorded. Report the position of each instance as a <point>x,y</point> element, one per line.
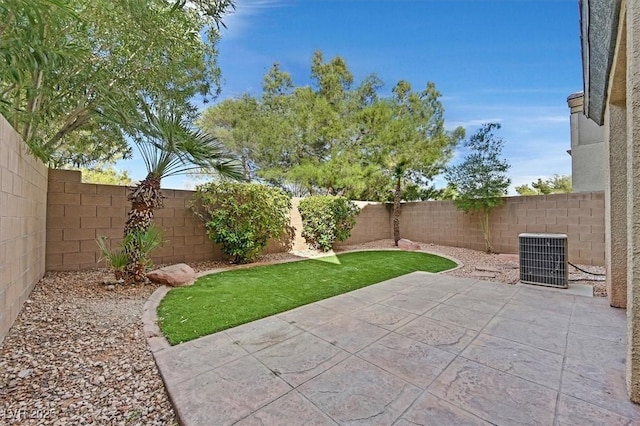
<point>142,242</point>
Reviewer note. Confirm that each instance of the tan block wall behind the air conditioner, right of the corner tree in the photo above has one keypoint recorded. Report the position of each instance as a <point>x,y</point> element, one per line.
<point>579,215</point>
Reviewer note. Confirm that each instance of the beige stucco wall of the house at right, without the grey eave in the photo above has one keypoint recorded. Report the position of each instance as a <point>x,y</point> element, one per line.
<point>623,187</point>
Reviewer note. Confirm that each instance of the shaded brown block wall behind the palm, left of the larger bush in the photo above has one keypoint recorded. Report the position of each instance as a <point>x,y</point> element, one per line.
<point>78,213</point>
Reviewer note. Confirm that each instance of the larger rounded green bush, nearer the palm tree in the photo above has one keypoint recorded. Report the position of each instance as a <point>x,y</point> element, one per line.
<point>242,216</point>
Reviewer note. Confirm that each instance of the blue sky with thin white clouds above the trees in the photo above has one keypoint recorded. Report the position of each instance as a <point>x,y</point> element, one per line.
<point>508,61</point>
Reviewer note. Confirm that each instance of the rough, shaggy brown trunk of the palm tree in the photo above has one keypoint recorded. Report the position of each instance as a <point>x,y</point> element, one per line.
<point>145,198</point>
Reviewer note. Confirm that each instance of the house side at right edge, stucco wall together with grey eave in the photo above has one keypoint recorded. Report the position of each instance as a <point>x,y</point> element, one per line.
<point>610,32</point>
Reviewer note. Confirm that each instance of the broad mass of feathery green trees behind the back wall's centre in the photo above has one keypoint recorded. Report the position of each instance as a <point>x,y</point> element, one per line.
<point>336,137</point>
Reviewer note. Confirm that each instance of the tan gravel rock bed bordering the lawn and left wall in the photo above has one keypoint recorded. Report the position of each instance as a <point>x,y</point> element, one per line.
<point>77,353</point>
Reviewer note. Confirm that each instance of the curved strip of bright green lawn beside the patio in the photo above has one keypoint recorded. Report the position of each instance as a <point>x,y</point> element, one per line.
<point>227,299</point>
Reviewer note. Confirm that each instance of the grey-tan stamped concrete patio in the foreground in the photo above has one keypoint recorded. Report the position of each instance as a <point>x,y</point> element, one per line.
<point>420,349</point>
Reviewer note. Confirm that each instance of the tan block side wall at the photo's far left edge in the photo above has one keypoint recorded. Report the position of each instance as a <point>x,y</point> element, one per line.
<point>23,194</point>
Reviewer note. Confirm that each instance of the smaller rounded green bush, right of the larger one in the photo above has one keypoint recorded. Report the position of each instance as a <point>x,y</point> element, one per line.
<point>327,219</point>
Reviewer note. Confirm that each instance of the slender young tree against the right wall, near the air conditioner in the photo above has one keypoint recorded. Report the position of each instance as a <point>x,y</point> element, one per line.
<point>480,180</point>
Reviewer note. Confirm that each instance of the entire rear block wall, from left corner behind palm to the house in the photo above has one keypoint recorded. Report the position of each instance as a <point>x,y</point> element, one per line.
<point>78,213</point>
